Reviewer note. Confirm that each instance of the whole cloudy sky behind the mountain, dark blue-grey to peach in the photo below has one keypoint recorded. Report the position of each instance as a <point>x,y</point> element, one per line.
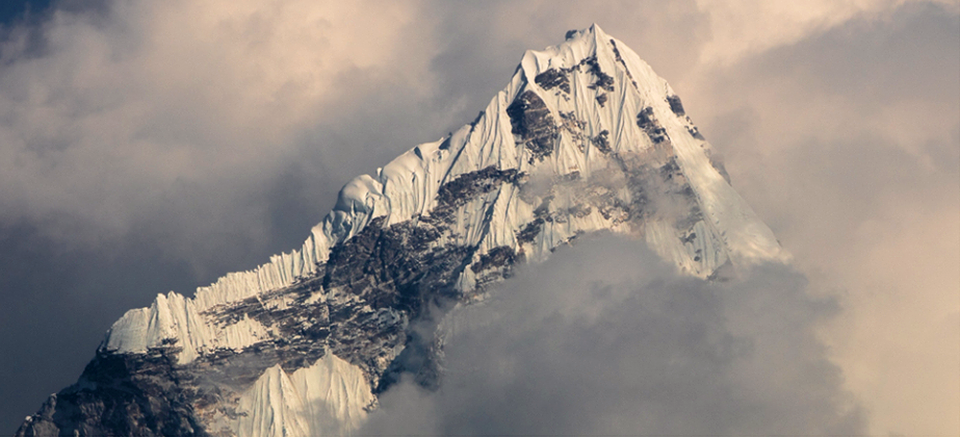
<point>155,146</point>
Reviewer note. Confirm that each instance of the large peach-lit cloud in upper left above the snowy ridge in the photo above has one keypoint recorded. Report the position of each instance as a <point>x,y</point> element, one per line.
<point>170,115</point>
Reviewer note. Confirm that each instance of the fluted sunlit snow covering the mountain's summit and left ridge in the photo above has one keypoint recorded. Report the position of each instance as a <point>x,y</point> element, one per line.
<point>602,107</point>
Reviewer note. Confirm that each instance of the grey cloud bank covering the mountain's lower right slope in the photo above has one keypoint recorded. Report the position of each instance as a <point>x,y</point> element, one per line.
<point>606,339</point>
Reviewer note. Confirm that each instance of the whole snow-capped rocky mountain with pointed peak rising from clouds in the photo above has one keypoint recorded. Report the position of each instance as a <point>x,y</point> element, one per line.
<point>584,138</point>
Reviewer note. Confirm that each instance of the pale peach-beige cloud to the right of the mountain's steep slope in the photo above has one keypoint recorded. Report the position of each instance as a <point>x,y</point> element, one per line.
<point>847,144</point>
